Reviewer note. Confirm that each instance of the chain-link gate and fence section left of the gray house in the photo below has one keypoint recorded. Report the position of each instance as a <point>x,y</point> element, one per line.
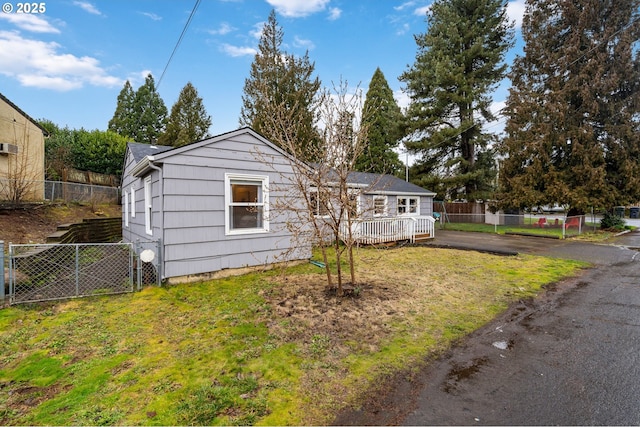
<point>45,272</point>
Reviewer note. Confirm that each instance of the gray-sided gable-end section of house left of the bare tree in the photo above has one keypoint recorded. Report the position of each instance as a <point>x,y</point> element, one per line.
<point>208,203</point>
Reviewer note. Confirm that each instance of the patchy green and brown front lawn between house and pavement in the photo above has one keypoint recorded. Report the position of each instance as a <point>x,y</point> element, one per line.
<point>254,349</point>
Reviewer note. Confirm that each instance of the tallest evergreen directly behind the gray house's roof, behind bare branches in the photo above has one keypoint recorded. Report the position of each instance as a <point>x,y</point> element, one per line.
<point>281,84</point>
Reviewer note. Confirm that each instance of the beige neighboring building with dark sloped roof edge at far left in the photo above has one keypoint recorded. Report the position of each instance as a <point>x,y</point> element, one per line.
<point>21,155</point>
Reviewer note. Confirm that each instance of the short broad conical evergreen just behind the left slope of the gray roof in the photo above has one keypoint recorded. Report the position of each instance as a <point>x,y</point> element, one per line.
<point>188,121</point>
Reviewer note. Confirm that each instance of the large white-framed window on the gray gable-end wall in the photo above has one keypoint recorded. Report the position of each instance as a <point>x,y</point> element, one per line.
<point>246,204</point>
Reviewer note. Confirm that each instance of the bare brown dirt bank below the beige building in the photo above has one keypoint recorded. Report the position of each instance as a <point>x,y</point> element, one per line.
<point>33,223</point>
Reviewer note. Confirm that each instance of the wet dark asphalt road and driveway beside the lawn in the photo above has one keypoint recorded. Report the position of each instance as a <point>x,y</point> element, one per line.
<point>571,357</point>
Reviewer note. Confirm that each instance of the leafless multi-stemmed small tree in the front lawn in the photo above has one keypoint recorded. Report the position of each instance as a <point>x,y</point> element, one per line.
<point>322,207</point>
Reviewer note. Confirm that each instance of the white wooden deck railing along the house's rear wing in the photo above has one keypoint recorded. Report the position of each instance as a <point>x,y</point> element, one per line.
<point>384,230</point>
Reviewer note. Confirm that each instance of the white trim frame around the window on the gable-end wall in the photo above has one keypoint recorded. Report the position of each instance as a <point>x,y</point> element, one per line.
<point>261,204</point>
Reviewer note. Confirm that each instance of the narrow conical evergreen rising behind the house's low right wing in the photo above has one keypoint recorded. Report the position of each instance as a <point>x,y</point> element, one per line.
<point>382,116</point>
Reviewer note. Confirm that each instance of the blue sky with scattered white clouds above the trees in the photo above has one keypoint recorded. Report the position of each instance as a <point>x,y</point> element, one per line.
<point>69,62</point>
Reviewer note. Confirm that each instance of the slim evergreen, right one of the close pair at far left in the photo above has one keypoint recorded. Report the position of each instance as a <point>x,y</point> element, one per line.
<point>150,113</point>
